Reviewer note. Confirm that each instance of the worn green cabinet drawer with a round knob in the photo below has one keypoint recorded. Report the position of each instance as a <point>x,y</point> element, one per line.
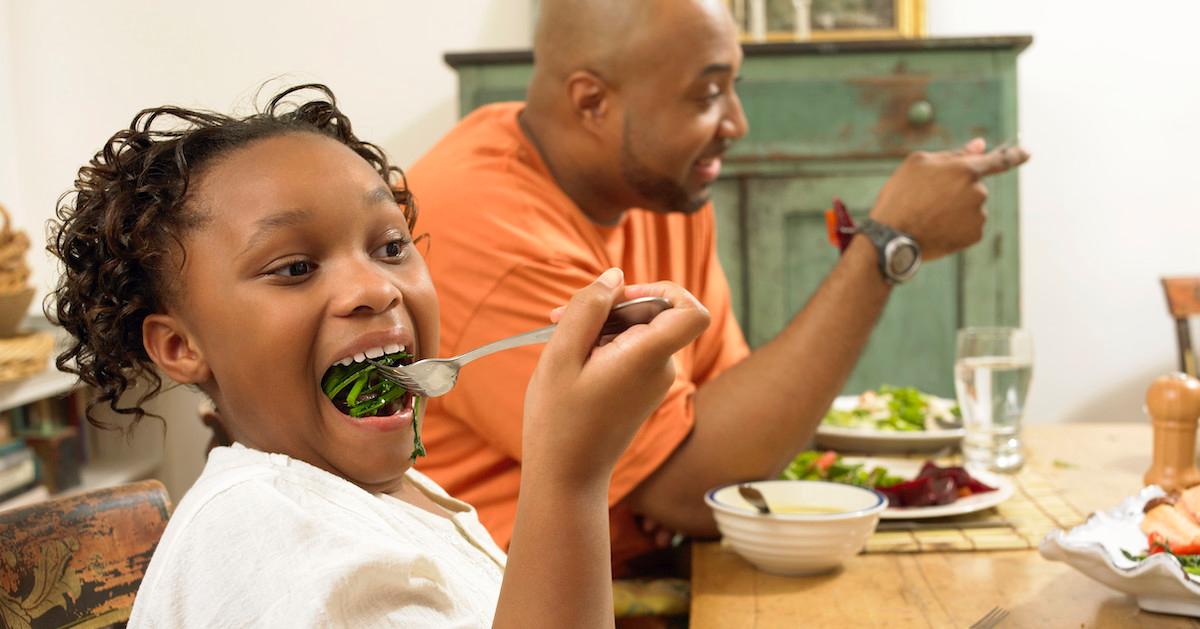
<point>814,110</point>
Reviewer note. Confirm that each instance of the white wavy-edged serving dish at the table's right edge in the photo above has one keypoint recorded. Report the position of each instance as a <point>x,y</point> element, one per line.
<point>1094,548</point>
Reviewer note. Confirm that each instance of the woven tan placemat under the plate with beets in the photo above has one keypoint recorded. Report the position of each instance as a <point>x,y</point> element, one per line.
<point>1036,508</point>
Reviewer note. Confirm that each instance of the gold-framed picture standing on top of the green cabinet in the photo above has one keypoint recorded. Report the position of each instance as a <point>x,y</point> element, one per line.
<point>776,21</point>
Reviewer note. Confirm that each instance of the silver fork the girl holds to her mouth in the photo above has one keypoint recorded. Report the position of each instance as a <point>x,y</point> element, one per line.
<point>434,378</point>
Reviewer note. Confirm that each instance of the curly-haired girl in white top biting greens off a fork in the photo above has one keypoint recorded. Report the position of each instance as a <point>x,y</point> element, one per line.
<point>260,260</point>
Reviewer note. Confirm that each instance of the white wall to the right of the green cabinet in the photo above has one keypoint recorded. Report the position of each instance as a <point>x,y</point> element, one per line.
<point>1111,110</point>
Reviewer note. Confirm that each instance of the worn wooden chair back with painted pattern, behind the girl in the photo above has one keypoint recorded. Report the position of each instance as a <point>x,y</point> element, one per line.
<point>79,561</point>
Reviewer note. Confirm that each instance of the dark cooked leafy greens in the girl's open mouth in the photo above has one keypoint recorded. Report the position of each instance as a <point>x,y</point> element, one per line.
<point>361,392</point>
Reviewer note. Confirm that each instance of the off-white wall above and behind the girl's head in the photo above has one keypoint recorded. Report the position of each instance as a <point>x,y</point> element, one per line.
<point>79,70</point>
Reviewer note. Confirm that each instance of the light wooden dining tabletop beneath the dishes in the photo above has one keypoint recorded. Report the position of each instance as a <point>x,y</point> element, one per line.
<point>1095,465</point>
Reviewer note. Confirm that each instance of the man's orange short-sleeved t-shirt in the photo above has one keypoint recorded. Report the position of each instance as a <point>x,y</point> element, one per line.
<point>507,245</point>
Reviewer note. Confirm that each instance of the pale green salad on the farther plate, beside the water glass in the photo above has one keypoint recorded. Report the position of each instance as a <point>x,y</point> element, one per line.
<point>898,410</point>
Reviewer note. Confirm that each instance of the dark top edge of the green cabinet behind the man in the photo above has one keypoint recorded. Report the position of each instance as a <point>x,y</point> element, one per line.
<point>1001,43</point>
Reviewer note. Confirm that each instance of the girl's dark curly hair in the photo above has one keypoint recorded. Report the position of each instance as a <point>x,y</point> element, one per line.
<point>119,232</point>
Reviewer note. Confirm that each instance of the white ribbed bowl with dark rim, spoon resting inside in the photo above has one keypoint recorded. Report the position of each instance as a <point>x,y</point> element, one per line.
<point>797,544</point>
